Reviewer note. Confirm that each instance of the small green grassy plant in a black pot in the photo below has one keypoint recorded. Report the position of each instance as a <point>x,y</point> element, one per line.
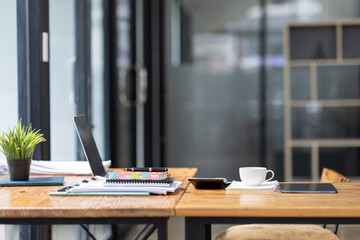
<point>18,145</point>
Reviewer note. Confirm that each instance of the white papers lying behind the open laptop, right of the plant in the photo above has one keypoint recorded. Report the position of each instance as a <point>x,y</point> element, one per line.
<point>64,167</point>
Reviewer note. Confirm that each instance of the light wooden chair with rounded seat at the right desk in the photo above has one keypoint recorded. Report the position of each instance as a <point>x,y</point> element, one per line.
<point>285,231</point>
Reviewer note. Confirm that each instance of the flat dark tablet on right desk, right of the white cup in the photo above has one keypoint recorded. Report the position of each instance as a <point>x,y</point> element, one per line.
<point>307,188</point>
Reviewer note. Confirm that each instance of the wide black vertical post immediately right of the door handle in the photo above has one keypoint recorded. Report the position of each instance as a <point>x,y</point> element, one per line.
<point>153,61</point>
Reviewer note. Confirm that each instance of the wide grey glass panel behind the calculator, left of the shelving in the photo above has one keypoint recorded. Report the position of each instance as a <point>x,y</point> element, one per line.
<point>213,87</point>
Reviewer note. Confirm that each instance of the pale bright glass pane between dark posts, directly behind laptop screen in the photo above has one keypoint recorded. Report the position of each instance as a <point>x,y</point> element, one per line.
<point>62,59</point>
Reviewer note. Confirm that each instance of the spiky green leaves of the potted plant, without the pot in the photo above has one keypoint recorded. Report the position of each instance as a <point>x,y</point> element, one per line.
<point>19,142</point>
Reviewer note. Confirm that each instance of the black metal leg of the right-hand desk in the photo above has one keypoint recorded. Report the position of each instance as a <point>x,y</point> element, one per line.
<point>196,229</point>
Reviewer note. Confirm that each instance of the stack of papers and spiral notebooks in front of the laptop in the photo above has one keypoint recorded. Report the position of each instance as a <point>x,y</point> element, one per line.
<point>124,183</point>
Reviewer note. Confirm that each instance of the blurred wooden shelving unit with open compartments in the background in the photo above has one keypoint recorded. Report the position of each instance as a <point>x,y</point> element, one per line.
<point>315,45</point>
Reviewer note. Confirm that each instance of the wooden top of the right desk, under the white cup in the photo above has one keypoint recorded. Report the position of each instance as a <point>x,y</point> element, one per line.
<point>219,203</point>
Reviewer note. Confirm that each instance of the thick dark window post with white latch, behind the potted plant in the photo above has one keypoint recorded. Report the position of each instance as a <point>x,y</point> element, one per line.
<point>33,84</point>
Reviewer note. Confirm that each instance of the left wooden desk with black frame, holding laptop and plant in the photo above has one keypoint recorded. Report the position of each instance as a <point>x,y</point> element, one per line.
<point>33,205</point>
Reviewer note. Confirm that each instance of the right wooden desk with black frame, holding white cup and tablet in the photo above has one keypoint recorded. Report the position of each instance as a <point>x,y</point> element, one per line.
<point>205,207</point>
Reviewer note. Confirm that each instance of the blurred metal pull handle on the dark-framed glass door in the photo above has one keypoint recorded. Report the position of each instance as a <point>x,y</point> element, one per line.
<point>140,84</point>
